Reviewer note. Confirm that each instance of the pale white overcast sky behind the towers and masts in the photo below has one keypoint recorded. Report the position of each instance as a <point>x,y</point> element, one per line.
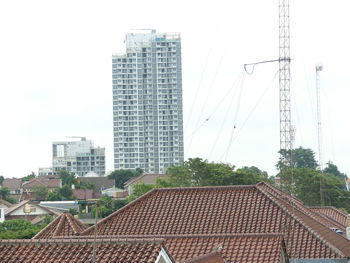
<point>56,76</point>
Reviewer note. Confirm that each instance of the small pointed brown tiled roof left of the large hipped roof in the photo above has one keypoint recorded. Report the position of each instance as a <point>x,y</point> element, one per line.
<point>63,225</point>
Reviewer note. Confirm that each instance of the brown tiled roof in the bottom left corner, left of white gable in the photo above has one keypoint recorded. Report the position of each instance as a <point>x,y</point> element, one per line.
<point>80,250</point>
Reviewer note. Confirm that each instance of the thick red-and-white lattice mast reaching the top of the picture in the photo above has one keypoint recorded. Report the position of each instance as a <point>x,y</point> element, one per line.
<point>284,81</point>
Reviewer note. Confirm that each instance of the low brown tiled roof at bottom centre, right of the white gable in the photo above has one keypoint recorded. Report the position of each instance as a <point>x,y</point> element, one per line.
<point>233,248</point>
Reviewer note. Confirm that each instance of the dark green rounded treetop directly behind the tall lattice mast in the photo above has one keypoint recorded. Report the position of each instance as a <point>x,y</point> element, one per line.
<point>301,158</point>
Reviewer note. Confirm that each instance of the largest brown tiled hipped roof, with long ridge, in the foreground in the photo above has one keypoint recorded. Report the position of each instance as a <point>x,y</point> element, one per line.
<point>250,209</point>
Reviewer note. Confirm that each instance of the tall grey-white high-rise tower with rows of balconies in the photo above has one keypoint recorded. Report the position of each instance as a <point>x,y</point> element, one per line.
<point>147,103</point>
